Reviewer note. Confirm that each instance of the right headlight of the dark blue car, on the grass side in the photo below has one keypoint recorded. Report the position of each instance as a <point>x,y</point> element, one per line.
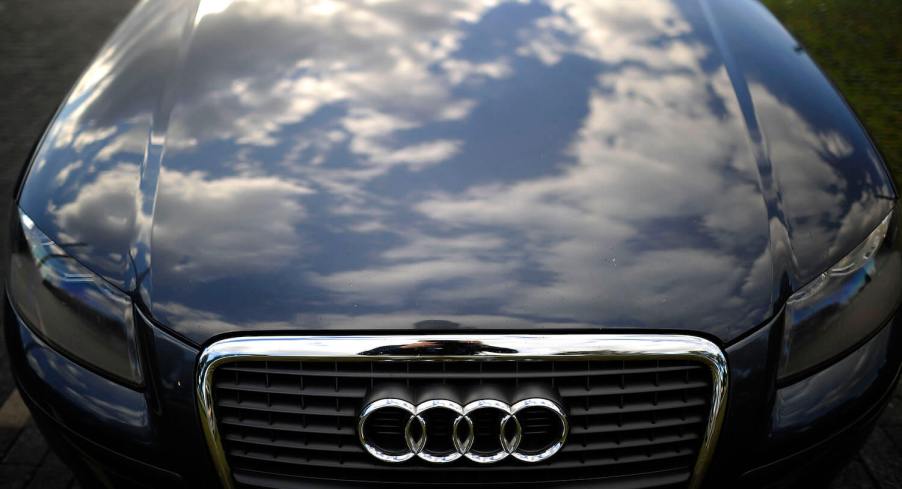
<point>843,306</point>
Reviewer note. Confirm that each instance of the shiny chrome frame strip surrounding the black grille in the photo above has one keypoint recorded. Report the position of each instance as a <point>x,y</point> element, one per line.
<point>463,347</point>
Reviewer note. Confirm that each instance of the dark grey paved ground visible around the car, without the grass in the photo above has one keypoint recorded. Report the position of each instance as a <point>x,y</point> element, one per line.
<point>44,45</point>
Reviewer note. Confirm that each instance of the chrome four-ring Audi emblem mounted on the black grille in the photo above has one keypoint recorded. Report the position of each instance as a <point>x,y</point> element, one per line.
<point>442,431</point>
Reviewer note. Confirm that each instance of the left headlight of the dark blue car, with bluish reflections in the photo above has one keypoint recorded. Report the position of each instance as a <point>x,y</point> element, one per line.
<point>74,310</point>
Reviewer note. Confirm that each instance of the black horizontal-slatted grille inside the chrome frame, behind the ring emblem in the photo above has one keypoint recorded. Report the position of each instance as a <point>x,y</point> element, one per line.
<point>633,423</point>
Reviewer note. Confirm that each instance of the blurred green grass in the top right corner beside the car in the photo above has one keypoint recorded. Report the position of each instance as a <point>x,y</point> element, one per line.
<point>858,43</point>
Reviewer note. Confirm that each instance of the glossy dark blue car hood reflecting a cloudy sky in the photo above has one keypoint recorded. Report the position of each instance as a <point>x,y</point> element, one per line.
<point>297,166</point>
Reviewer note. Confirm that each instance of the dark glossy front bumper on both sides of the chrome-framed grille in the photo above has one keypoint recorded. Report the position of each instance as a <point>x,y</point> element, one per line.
<point>115,436</point>
